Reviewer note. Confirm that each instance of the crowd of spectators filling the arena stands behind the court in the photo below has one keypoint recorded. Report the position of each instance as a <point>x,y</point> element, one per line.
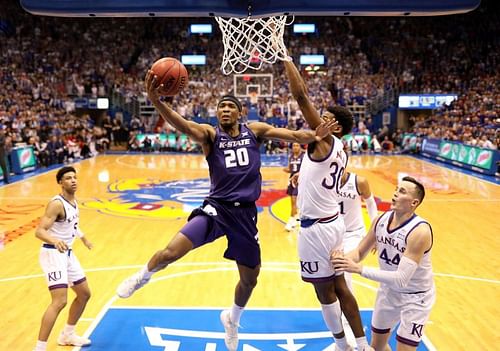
<point>46,62</point>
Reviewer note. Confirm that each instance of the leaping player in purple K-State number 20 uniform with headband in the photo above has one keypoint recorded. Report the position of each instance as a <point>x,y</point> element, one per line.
<point>232,152</point>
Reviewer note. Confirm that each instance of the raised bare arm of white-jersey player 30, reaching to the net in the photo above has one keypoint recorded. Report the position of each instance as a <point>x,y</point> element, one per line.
<point>299,92</point>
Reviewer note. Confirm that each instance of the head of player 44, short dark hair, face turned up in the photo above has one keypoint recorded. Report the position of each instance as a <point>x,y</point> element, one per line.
<point>408,196</point>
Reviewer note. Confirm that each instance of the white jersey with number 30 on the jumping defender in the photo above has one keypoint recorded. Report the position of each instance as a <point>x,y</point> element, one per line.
<point>319,182</point>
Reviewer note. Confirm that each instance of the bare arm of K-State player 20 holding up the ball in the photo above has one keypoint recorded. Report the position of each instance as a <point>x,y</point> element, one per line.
<point>200,133</point>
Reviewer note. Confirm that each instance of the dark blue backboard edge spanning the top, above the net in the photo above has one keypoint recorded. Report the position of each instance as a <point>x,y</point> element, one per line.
<point>243,8</point>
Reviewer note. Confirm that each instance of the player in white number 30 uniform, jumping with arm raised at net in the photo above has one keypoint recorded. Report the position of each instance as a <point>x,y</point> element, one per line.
<point>322,227</point>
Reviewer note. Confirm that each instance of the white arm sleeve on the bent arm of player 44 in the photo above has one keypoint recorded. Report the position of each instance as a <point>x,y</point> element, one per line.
<point>399,278</point>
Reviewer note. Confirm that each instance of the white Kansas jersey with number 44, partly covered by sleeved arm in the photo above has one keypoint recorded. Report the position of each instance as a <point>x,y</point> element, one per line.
<point>391,246</point>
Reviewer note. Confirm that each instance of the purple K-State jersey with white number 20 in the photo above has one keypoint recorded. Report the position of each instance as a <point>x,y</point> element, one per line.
<point>234,165</point>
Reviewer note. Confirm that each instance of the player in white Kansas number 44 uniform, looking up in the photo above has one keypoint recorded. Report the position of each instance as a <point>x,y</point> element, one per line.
<point>407,293</point>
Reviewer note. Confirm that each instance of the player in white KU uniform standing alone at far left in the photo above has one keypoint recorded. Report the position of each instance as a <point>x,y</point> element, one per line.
<point>58,229</point>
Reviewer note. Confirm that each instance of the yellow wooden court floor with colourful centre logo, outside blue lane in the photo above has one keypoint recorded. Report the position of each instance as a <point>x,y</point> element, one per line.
<point>131,206</point>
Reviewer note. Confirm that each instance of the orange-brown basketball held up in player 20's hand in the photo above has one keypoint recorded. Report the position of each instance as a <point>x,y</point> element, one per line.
<point>172,74</point>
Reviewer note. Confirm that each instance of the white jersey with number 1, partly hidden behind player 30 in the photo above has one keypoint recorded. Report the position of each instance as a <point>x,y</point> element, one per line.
<point>350,204</point>
